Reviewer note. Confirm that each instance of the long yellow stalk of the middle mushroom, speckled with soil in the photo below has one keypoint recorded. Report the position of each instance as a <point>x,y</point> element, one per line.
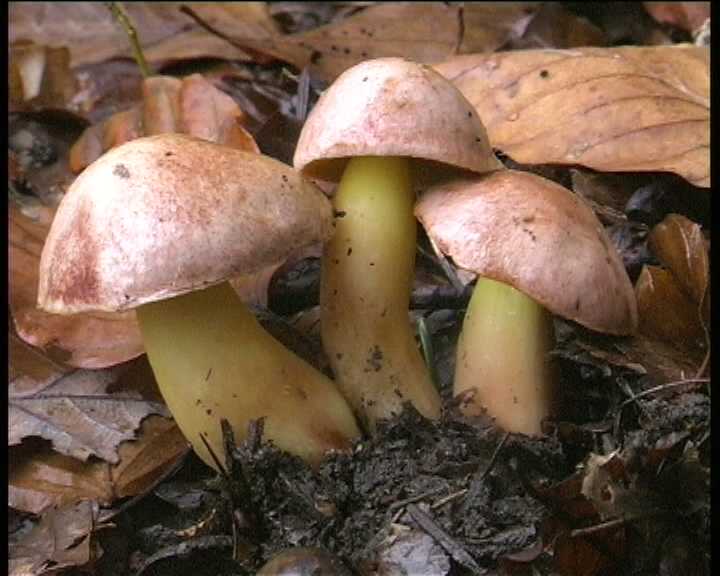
<point>367,273</point>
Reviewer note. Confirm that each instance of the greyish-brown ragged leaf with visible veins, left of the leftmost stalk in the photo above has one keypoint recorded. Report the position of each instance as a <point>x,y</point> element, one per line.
<point>76,412</point>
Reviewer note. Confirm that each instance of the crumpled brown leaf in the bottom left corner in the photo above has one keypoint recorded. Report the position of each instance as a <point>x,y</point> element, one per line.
<point>62,539</point>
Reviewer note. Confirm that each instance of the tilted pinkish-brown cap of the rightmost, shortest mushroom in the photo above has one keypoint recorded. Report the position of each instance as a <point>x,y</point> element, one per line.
<point>529,232</point>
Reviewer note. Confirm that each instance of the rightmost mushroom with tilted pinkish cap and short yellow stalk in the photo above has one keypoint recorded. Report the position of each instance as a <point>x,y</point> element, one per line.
<point>538,250</point>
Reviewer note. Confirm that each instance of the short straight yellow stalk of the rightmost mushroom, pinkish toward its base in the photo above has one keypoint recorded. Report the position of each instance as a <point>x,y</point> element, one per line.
<point>502,363</point>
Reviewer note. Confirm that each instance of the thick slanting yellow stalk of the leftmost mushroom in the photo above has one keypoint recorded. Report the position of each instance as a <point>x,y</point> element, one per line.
<point>213,360</point>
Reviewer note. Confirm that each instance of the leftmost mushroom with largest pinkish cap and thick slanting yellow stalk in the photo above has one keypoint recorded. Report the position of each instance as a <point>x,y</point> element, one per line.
<point>159,224</point>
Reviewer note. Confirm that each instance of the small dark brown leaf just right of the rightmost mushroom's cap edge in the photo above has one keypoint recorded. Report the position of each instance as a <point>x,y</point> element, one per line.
<point>665,311</point>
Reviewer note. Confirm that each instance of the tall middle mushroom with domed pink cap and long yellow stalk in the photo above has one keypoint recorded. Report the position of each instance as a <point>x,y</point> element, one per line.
<point>382,124</point>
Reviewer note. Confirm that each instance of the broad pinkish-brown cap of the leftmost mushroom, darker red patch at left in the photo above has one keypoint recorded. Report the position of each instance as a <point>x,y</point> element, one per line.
<point>165,215</point>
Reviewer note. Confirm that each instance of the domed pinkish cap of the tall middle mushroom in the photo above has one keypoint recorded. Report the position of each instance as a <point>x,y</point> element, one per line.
<point>392,107</point>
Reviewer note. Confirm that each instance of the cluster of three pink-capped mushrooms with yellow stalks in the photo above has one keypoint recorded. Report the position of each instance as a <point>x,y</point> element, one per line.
<point>161,223</point>
